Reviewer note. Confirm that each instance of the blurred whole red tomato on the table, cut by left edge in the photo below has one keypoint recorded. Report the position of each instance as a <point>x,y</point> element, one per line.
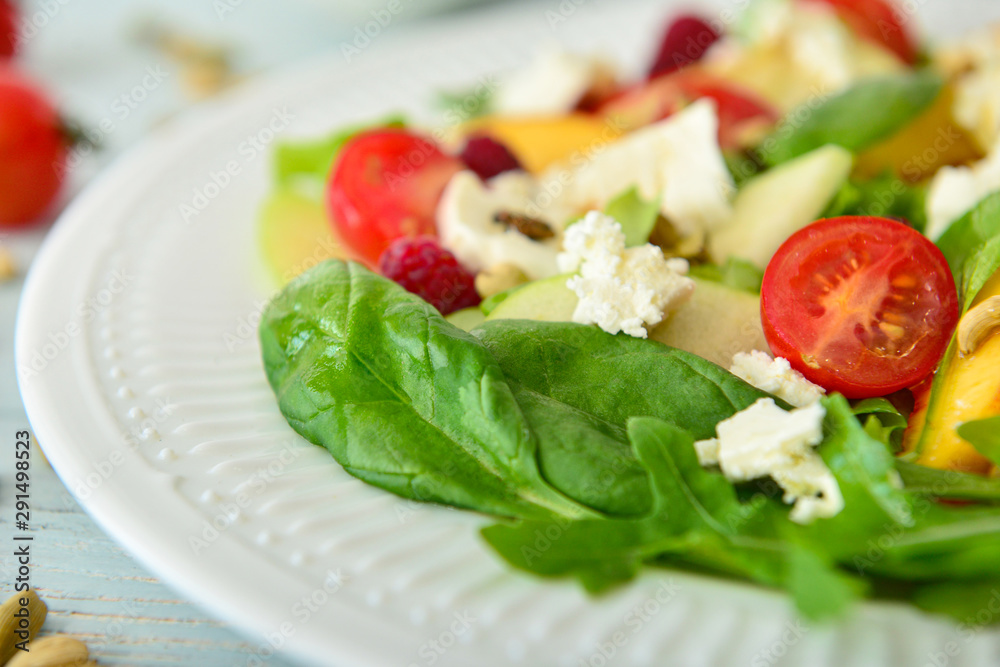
<point>32,151</point>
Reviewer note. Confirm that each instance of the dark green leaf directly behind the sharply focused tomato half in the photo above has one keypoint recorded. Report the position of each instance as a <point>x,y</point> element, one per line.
<point>886,195</point>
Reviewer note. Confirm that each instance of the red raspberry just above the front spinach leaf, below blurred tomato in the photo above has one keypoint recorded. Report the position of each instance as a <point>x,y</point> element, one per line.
<point>423,267</point>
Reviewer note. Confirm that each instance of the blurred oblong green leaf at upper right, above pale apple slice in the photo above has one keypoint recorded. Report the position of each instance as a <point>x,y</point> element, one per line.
<point>872,110</point>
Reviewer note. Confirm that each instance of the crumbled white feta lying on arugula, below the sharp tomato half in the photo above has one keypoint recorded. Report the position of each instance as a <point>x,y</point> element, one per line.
<point>765,440</point>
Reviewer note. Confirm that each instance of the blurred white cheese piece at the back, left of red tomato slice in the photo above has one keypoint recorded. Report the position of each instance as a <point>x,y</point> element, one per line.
<point>553,84</point>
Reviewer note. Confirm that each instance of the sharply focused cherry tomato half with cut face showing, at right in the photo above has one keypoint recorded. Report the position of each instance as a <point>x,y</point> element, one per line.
<point>863,306</point>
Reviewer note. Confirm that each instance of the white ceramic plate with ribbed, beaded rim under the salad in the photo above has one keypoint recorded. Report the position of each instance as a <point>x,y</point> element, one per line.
<point>139,368</point>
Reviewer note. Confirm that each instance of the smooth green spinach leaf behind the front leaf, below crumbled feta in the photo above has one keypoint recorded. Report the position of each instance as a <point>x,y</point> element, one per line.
<point>616,378</point>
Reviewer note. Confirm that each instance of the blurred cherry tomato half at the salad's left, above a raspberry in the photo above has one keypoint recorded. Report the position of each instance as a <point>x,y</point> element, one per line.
<point>386,185</point>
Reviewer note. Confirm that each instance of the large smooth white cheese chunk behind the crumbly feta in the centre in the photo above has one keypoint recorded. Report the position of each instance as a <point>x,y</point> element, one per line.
<point>677,160</point>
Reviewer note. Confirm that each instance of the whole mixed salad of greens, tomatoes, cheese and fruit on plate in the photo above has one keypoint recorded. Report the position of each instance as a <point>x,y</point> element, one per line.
<point>738,315</point>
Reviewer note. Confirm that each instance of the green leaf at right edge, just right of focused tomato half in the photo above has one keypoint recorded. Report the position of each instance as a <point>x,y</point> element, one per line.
<point>972,247</point>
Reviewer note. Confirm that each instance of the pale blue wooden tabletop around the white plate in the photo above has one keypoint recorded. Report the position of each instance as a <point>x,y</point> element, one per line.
<point>85,53</point>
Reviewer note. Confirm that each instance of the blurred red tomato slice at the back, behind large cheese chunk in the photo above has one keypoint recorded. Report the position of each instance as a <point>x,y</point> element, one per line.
<point>665,95</point>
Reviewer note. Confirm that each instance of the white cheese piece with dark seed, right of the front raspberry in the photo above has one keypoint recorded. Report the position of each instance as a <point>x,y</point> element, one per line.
<point>467,226</point>
